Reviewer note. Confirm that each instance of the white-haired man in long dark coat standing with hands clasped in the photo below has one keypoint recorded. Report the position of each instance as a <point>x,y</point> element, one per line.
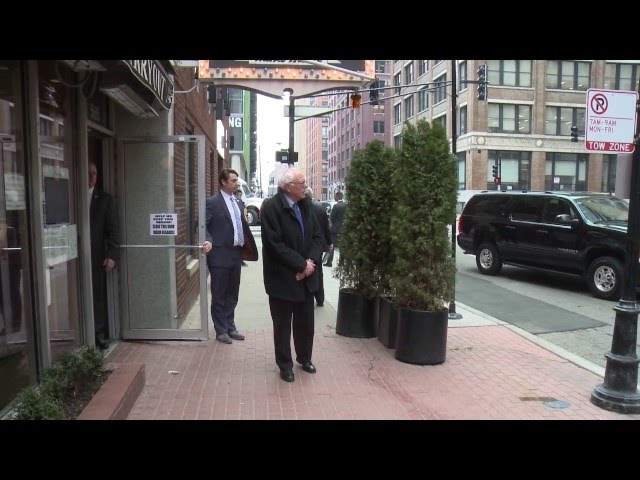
<point>291,249</point>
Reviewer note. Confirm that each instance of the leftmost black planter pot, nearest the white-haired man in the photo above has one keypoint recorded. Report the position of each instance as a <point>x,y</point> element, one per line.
<point>355,315</point>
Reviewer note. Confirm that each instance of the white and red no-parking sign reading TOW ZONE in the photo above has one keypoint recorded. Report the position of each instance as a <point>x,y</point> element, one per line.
<point>610,121</point>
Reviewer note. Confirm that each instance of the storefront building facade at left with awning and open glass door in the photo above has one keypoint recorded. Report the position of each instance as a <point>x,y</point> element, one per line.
<point>152,133</point>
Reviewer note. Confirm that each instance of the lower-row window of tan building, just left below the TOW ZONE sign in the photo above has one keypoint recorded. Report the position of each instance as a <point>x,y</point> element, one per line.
<point>566,171</point>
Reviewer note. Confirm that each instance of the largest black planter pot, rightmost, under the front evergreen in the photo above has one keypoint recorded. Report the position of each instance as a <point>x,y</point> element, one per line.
<point>421,336</point>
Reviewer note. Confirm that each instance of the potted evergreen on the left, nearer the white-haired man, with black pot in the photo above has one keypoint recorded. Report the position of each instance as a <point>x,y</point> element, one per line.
<point>362,241</point>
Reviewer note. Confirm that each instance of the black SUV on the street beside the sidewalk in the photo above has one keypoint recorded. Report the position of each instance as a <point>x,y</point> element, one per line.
<point>572,233</point>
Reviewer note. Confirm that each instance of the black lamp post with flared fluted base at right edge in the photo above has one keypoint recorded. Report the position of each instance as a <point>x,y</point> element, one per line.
<point>619,391</point>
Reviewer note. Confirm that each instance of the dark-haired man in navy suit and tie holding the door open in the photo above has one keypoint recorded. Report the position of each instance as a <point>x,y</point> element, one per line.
<point>228,234</point>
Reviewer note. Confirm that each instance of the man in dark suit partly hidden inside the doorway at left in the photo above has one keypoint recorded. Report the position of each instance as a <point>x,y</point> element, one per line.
<point>104,252</point>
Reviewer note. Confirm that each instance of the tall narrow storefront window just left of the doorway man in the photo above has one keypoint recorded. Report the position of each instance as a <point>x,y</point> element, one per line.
<point>60,212</point>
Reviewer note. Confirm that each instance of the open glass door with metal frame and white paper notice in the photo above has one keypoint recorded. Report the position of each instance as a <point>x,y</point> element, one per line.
<point>162,218</point>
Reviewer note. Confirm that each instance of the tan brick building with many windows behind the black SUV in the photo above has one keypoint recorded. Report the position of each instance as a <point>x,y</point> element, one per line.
<point>524,124</point>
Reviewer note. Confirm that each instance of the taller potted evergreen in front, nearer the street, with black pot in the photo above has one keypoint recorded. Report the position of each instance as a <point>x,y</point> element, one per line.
<point>423,277</point>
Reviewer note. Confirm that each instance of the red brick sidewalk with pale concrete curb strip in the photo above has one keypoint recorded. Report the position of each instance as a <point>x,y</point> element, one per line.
<point>492,371</point>
